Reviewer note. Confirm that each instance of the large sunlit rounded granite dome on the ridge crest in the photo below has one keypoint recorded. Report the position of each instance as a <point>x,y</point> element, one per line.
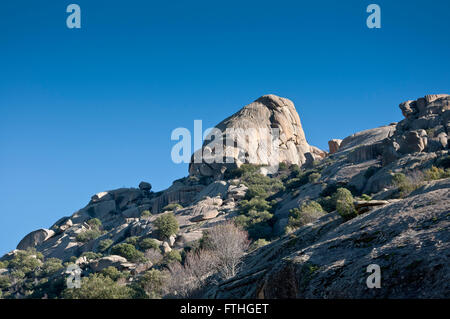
<point>252,140</point>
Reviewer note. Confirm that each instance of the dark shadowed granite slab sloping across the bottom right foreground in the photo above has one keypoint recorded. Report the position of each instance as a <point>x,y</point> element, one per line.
<point>408,239</point>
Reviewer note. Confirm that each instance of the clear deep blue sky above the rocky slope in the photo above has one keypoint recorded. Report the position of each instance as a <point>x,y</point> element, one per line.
<point>83,111</point>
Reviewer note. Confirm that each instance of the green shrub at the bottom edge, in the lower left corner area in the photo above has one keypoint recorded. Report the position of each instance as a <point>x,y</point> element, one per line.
<point>97,286</point>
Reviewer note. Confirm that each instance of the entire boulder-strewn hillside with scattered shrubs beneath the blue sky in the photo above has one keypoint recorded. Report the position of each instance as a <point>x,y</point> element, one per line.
<point>380,196</point>
